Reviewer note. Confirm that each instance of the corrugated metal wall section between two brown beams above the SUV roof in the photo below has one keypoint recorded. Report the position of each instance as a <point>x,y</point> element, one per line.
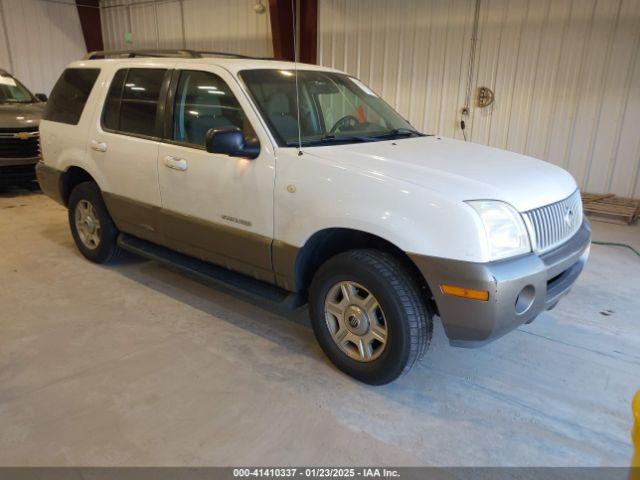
<point>222,25</point>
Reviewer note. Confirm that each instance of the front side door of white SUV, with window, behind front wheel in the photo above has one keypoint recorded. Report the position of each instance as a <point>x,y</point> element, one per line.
<point>216,207</point>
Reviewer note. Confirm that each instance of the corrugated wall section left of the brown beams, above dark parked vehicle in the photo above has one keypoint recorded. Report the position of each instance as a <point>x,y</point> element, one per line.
<point>38,39</point>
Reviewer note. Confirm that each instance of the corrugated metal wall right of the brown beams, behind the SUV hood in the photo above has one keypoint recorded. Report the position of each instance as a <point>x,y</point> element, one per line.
<point>566,74</point>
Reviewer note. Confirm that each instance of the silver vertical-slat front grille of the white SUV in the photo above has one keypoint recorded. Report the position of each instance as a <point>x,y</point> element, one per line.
<point>553,224</point>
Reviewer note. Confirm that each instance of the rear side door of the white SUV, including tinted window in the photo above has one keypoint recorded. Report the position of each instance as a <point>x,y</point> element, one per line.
<point>124,146</point>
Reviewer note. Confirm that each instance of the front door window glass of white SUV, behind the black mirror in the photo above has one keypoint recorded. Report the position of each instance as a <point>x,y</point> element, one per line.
<point>204,101</point>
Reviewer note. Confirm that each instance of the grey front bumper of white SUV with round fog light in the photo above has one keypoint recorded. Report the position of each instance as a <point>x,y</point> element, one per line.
<point>519,289</point>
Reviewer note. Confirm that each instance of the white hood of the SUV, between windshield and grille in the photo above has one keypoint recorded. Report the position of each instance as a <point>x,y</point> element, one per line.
<point>457,170</point>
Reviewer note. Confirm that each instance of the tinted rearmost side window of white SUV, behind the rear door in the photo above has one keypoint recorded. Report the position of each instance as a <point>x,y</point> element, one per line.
<point>70,94</point>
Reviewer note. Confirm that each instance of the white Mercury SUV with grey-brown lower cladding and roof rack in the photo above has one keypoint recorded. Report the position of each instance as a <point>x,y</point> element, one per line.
<point>205,162</point>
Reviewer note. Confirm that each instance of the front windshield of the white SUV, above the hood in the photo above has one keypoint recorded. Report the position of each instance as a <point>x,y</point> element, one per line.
<point>334,108</point>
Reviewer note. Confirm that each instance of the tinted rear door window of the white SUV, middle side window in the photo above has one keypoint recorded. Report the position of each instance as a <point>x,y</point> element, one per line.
<point>132,101</point>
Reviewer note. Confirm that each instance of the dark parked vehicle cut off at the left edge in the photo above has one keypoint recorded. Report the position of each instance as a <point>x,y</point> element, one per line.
<point>20,113</point>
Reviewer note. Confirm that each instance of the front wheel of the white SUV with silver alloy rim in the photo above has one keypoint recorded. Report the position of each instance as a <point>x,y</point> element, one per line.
<point>369,315</point>
